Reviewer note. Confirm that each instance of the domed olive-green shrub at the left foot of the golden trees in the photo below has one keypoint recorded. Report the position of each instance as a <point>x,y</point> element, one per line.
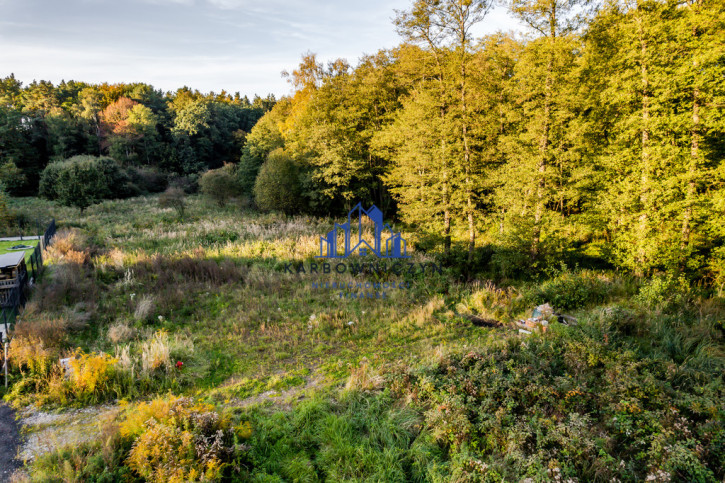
<point>278,184</point>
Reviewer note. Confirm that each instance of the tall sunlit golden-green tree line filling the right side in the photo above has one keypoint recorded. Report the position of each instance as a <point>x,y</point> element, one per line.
<point>602,132</point>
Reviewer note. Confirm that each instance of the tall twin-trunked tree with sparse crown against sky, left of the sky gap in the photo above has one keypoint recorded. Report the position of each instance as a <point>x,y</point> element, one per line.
<point>444,30</point>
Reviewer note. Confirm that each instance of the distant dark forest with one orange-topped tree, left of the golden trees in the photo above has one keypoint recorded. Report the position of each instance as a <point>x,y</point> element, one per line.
<point>183,132</point>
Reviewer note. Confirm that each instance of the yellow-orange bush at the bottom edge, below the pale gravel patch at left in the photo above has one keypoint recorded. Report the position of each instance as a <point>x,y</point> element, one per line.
<point>170,440</point>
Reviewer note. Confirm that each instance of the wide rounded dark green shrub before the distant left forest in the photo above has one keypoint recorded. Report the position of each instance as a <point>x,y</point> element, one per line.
<point>83,180</point>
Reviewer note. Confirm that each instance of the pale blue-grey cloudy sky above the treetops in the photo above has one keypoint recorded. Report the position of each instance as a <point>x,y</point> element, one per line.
<point>209,45</point>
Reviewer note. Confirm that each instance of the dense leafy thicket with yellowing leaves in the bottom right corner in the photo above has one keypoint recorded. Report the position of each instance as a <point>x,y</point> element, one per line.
<point>570,406</point>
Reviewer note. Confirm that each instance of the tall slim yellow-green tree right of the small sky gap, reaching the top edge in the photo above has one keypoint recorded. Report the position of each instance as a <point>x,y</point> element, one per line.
<point>540,150</point>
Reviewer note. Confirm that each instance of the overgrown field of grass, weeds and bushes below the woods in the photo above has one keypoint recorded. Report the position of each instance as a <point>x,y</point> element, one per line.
<point>227,366</point>
